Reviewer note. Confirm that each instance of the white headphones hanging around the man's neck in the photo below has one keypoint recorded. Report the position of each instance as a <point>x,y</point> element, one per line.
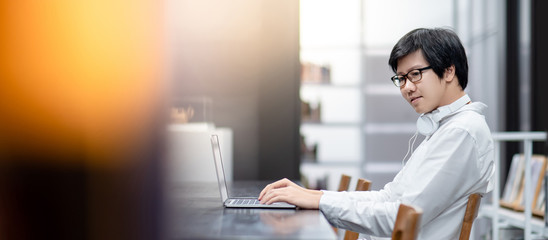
<point>428,123</point>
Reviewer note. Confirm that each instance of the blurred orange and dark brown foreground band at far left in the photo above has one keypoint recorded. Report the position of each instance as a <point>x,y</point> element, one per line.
<point>81,119</point>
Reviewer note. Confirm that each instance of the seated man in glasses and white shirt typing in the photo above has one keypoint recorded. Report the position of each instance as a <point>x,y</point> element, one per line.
<point>454,161</point>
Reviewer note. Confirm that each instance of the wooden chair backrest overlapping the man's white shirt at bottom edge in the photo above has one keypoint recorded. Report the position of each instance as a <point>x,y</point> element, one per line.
<point>407,223</point>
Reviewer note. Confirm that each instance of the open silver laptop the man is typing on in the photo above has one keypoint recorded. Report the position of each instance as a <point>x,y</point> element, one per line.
<point>243,202</point>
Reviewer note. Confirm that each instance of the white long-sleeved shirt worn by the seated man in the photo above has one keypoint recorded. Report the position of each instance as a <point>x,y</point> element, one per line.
<point>449,165</point>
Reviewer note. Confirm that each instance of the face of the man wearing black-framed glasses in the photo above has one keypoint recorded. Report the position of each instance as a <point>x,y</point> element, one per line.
<point>426,94</point>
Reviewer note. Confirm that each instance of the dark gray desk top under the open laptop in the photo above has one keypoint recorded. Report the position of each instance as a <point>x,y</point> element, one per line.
<point>194,211</point>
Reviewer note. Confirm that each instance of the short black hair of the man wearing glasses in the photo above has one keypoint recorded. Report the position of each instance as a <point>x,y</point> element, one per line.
<point>441,49</point>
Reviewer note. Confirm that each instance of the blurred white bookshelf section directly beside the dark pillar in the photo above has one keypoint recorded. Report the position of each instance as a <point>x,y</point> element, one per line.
<point>330,90</point>
